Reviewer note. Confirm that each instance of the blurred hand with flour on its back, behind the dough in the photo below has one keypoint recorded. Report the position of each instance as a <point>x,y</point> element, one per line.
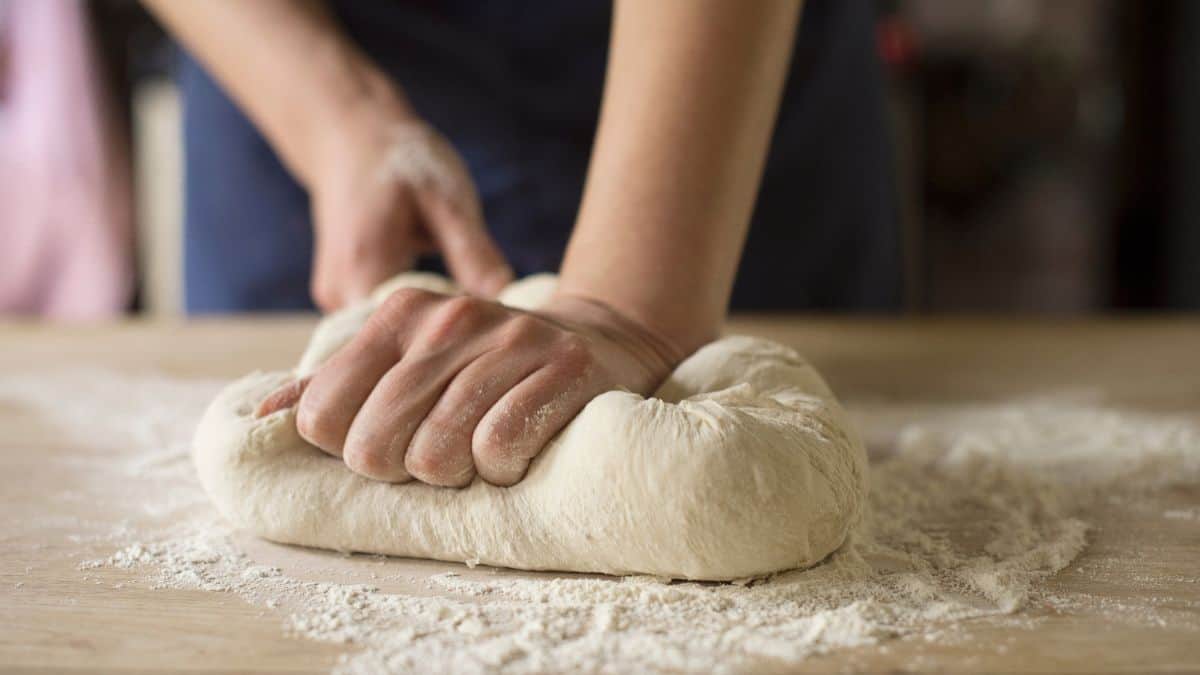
<point>387,189</point>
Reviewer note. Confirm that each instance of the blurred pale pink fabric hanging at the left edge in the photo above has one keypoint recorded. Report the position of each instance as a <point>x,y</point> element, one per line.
<point>65,217</point>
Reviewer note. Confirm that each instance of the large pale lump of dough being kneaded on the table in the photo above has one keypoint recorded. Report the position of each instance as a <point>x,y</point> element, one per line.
<point>742,464</point>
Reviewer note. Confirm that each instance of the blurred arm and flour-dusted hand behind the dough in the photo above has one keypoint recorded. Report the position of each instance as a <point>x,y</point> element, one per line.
<point>335,121</point>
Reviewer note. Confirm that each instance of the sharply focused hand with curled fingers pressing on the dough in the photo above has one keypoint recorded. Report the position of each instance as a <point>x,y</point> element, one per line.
<point>441,389</point>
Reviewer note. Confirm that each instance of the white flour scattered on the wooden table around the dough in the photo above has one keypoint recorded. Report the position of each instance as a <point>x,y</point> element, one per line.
<point>971,509</point>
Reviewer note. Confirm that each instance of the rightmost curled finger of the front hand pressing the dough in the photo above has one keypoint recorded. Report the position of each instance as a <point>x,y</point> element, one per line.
<point>525,420</point>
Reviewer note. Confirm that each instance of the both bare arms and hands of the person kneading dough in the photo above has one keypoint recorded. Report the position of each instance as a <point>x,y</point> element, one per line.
<point>443,389</point>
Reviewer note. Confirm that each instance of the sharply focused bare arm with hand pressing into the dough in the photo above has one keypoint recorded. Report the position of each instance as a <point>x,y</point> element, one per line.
<point>442,390</point>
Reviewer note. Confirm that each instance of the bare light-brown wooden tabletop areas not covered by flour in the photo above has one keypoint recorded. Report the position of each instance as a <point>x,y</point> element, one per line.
<point>55,618</point>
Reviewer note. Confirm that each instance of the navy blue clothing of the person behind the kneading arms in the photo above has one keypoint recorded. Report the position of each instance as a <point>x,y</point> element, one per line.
<point>517,86</point>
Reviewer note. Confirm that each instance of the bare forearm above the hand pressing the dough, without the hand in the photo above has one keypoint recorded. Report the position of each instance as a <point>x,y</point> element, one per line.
<point>689,105</point>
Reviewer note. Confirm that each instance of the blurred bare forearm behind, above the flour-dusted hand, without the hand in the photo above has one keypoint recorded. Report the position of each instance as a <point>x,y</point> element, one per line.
<point>287,65</point>
